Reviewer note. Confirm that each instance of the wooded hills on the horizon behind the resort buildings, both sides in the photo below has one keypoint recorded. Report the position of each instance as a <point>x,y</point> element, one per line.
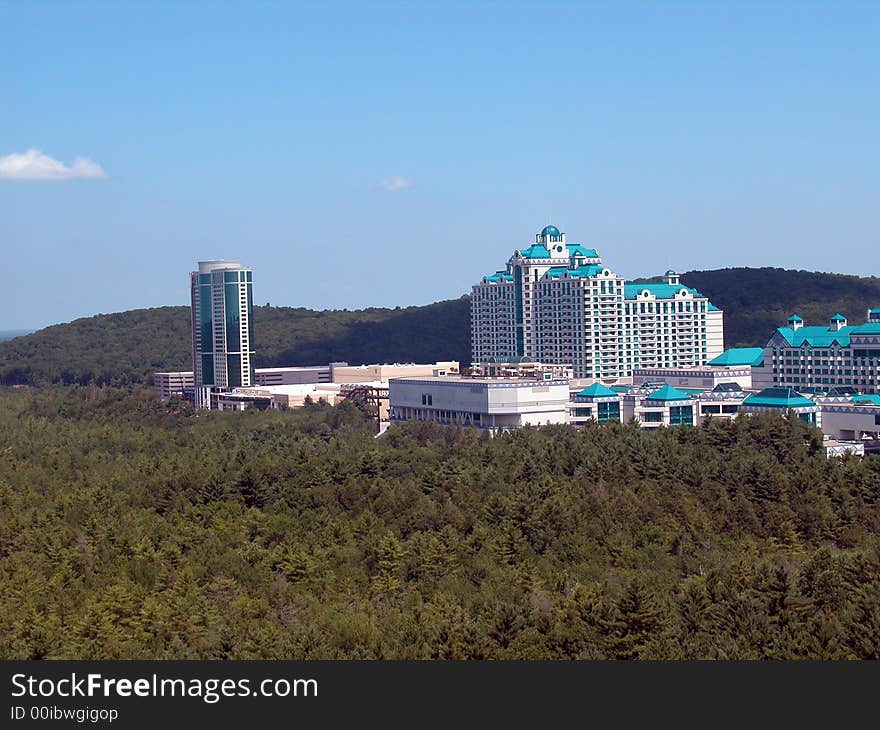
<point>125,348</point>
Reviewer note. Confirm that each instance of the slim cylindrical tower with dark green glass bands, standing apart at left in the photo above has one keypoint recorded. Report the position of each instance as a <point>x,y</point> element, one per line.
<point>222,328</point>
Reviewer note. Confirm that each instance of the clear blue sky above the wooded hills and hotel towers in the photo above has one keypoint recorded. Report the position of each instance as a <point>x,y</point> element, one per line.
<point>384,154</point>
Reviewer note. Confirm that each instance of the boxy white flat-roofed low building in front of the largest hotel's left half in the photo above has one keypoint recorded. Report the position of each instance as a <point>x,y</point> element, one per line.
<point>482,403</point>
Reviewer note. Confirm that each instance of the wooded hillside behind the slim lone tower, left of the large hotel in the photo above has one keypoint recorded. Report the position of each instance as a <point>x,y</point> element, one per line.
<point>124,348</point>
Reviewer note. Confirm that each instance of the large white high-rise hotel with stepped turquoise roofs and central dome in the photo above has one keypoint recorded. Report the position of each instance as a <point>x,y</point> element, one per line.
<point>556,302</point>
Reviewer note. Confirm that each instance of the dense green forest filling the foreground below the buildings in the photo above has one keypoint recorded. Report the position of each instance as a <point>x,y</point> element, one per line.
<point>136,528</point>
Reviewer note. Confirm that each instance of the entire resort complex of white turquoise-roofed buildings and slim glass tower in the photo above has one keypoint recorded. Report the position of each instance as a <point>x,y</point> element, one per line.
<point>558,338</point>
